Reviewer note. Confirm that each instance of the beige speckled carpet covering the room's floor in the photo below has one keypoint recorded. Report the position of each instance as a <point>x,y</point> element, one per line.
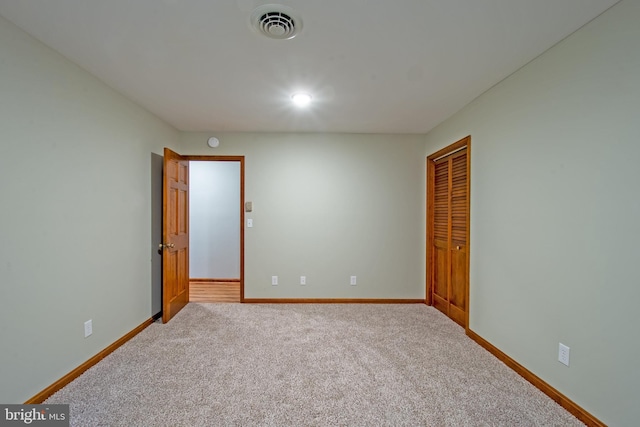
<point>306,365</point>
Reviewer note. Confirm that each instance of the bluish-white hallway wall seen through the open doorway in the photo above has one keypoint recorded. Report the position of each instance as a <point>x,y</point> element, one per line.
<point>214,220</point>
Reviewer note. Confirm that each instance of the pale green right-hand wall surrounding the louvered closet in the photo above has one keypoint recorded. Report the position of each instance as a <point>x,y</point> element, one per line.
<point>555,212</point>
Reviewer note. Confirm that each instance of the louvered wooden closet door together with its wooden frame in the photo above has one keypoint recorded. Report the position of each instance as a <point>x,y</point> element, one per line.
<point>448,231</point>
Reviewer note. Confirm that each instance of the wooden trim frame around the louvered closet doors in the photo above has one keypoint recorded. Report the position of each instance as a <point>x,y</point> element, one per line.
<point>456,146</point>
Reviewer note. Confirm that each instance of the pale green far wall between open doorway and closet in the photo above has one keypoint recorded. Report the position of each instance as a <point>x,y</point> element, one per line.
<point>329,206</point>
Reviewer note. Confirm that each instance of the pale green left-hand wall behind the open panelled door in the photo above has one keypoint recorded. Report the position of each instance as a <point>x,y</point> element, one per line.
<point>75,216</point>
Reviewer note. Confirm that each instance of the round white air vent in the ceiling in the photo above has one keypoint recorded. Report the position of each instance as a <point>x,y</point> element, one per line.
<point>276,22</point>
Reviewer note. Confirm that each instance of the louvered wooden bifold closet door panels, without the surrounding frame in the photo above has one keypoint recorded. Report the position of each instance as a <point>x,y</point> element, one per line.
<point>449,291</point>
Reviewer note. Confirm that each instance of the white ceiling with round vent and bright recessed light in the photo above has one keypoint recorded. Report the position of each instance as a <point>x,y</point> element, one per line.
<point>373,66</point>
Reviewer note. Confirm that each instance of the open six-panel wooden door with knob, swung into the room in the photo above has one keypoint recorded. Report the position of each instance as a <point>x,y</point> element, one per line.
<point>175,233</point>
